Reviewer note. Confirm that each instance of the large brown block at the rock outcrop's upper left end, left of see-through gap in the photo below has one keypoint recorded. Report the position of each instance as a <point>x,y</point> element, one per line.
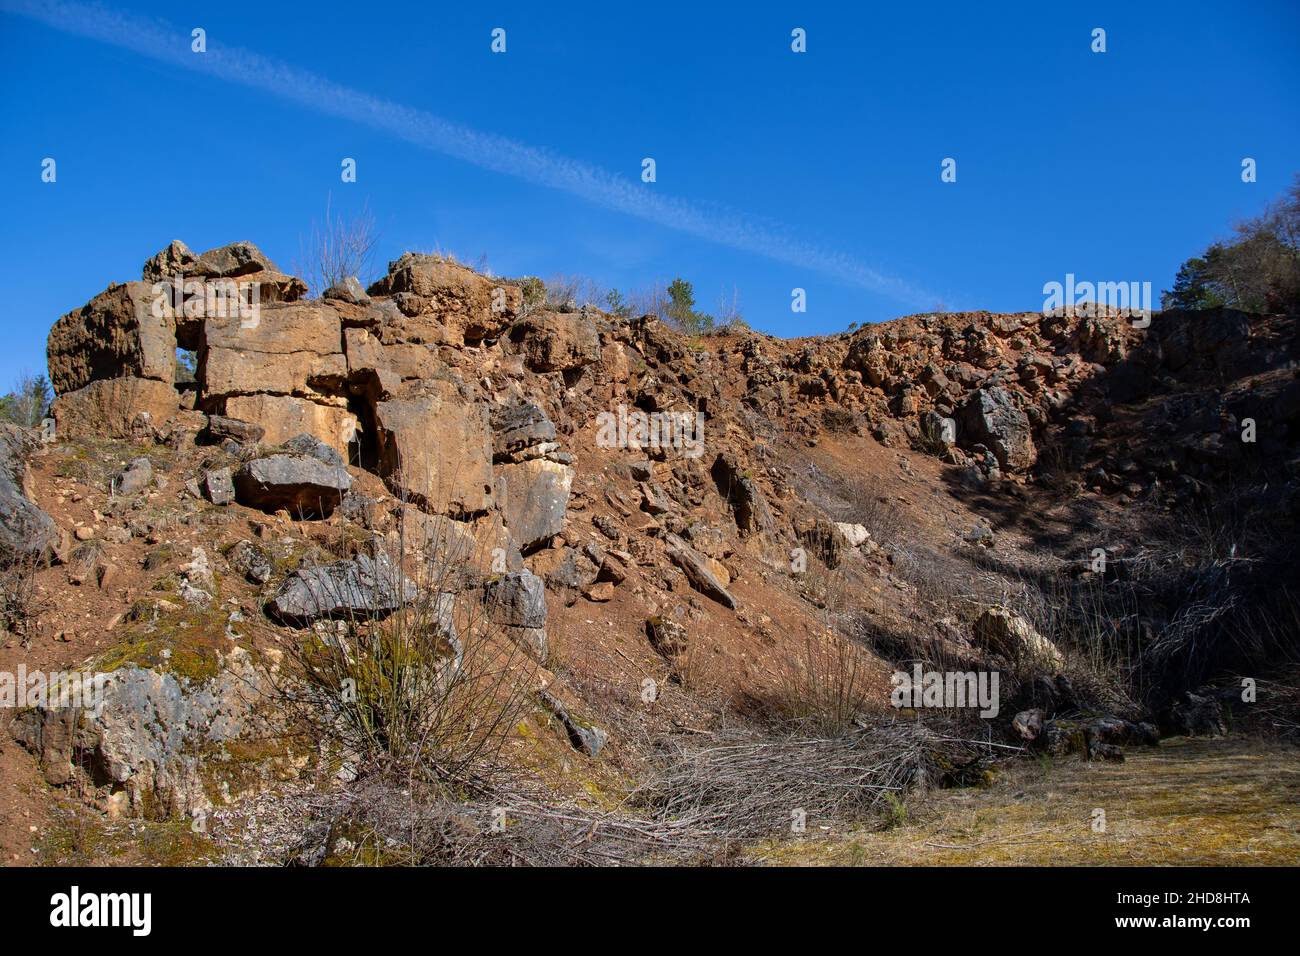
<point>115,335</point>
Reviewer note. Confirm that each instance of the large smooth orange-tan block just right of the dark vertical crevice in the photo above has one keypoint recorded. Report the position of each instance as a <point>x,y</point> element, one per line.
<point>436,449</point>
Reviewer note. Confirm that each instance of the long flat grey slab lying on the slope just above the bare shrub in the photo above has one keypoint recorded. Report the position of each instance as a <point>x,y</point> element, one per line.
<point>363,587</point>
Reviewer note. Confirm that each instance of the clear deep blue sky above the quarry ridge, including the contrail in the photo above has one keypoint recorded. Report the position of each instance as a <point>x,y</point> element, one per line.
<point>775,171</point>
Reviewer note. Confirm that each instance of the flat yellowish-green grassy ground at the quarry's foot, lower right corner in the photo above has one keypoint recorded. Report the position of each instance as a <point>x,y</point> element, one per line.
<point>1224,802</point>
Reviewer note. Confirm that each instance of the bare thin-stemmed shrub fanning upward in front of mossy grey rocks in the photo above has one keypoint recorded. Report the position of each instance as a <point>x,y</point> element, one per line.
<point>434,689</point>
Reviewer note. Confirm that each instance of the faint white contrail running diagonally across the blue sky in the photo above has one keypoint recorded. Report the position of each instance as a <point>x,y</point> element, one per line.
<point>161,41</point>
